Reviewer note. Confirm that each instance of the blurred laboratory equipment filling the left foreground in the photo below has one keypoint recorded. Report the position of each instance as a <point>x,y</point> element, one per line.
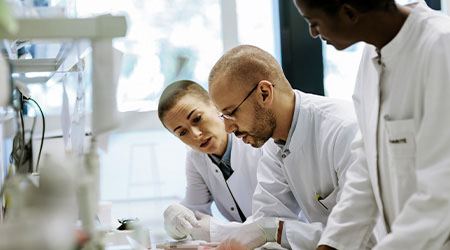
<point>41,209</point>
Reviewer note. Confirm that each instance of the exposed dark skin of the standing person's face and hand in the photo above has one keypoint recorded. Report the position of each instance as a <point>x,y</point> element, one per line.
<point>349,26</point>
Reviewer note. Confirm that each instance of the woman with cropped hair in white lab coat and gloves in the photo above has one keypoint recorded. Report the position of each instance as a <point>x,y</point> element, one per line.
<point>220,168</point>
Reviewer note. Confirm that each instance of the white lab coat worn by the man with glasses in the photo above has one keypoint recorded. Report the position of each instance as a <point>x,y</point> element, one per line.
<point>319,157</point>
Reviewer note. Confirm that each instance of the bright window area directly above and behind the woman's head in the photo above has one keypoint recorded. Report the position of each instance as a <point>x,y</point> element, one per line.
<point>166,41</point>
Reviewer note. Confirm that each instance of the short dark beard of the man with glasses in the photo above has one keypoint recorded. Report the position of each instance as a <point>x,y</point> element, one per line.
<point>264,126</point>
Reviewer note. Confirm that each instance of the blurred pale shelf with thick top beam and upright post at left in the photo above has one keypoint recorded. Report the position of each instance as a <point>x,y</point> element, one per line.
<point>77,37</point>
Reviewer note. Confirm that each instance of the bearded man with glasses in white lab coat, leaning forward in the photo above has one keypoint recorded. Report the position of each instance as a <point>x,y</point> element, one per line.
<point>303,168</point>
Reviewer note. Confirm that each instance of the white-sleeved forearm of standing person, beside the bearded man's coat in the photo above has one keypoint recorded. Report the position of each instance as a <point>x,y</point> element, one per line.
<point>352,220</point>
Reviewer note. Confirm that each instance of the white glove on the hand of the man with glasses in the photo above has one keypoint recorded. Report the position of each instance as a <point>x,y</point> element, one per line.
<point>252,235</point>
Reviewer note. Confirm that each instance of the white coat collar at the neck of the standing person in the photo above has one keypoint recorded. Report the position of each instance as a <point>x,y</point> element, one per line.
<point>396,45</point>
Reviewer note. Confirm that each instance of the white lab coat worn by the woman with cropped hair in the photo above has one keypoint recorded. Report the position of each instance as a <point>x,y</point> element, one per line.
<point>205,182</point>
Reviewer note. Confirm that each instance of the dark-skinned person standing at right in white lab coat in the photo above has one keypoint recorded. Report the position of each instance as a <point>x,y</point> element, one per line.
<point>402,103</point>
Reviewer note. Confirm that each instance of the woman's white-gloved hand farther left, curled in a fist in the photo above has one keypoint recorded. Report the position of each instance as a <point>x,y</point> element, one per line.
<point>179,221</point>
